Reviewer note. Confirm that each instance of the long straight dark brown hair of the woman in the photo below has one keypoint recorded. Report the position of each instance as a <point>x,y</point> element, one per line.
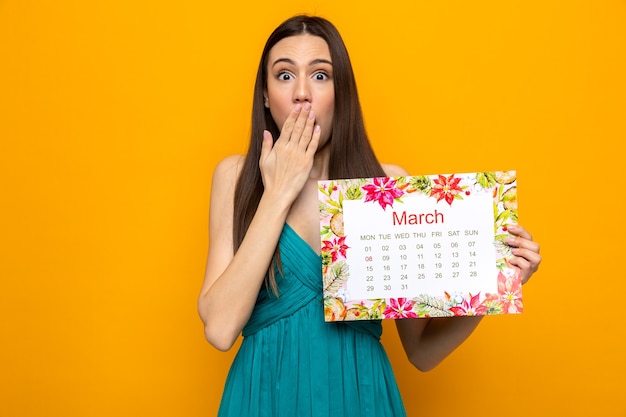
<point>351,154</point>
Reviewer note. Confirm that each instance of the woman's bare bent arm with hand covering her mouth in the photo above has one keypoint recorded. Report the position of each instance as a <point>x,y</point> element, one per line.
<point>232,280</point>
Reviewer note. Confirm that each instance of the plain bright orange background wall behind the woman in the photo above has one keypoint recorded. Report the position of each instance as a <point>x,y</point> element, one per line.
<point>113,115</point>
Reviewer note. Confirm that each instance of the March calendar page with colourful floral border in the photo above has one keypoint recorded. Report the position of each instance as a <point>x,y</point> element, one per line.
<point>418,246</point>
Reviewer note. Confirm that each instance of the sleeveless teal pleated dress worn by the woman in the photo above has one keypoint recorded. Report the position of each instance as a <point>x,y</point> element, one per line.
<point>291,363</point>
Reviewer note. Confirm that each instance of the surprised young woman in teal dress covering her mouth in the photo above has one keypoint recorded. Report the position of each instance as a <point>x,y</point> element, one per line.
<point>263,274</point>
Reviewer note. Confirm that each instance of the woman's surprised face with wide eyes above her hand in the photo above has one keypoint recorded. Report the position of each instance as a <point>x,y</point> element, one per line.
<point>299,71</point>
